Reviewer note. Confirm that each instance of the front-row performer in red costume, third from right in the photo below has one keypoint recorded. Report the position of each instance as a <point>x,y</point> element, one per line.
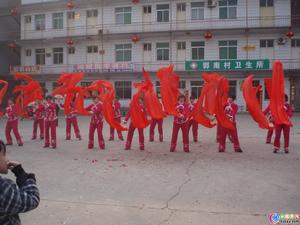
<point>182,123</point>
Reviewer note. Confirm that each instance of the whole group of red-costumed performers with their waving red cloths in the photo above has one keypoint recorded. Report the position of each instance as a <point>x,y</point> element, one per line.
<point>212,108</point>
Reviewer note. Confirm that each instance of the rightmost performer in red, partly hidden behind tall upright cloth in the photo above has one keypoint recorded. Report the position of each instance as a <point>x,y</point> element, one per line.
<point>285,128</point>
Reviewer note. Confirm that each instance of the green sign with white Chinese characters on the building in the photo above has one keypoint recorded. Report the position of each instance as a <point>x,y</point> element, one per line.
<point>215,65</point>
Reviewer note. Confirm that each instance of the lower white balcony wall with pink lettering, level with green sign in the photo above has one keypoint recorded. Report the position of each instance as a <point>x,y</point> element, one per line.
<point>130,67</point>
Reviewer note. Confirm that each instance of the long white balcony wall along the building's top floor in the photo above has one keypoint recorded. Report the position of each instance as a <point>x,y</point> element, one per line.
<point>147,27</point>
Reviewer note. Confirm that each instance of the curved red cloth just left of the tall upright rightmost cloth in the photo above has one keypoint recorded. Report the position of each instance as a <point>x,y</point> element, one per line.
<point>253,104</point>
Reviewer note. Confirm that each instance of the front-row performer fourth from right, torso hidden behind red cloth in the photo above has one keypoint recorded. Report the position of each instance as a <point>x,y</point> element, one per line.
<point>131,130</point>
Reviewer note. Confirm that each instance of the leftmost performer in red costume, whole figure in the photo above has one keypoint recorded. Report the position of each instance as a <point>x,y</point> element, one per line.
<point>12,123</point>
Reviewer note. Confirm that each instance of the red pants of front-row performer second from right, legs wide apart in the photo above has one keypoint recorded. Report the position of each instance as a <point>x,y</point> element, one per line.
<point>234,138</point>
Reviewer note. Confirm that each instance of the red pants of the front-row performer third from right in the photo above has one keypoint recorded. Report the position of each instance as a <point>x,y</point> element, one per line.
<point>185,135</point>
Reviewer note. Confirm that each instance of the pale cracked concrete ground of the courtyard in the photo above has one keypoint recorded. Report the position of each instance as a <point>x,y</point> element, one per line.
<point>153,187</point>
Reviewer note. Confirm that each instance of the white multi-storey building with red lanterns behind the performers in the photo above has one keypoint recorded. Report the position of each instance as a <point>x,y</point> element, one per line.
<point>113,40</point>
